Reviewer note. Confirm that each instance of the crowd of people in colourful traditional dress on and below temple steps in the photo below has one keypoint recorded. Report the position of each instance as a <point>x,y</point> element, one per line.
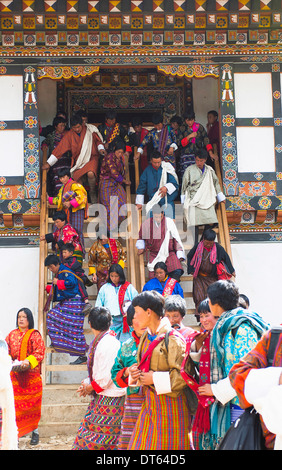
<point>154,383</point>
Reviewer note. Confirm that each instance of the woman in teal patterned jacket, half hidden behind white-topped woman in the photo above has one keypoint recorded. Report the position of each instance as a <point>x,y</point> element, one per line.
<point>125,359</point>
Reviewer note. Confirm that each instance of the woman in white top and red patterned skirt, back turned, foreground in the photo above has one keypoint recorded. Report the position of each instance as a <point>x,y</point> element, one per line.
<point>100,427</point>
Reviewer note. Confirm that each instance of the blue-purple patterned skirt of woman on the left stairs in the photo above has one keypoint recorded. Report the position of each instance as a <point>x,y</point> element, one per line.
<point>65,327</point>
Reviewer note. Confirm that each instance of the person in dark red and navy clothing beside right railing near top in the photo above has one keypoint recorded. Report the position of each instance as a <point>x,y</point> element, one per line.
<point>193,137</point>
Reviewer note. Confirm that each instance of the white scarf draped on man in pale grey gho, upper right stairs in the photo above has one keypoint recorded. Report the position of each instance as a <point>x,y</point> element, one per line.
<point>205,197</point>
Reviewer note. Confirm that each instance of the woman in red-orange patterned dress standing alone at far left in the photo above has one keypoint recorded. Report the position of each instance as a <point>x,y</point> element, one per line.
<point>27,350</point>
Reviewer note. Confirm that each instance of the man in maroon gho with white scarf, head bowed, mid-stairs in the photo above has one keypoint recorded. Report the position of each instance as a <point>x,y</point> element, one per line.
<point>159,237</point>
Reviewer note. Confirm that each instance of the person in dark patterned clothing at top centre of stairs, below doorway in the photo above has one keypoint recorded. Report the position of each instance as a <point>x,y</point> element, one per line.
<point>112,133</point>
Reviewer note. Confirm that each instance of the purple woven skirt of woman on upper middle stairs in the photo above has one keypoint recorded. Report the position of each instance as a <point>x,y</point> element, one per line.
<point>112,195</point>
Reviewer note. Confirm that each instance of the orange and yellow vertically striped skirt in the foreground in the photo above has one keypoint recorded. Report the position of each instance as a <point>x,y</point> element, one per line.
<point>163,424</point>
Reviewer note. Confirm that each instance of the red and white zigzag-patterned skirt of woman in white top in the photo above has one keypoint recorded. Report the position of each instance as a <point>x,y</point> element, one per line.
<point>101,425</point>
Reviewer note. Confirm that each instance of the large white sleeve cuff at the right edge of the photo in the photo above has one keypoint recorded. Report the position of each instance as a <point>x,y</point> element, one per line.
<point>259,382</point>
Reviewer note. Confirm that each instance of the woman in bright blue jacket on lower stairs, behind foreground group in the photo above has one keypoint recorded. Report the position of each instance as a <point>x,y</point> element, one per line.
<point>163,283</point>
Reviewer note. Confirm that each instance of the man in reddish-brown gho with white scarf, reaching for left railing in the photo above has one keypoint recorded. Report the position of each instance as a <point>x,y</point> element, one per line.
<point>85,143</point>
